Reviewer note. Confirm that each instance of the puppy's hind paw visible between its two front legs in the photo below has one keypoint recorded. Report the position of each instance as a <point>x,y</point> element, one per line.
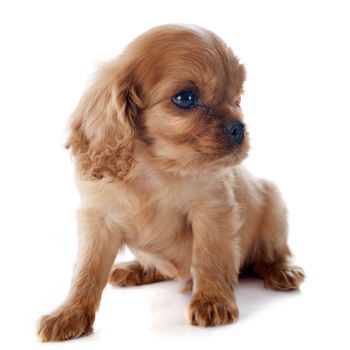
<point>134,274</point>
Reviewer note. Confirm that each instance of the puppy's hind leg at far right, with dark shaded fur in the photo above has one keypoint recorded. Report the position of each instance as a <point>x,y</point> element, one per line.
<point>272,259</point>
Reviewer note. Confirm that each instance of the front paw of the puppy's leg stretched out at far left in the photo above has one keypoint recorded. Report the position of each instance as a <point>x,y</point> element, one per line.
<point>68,322</point>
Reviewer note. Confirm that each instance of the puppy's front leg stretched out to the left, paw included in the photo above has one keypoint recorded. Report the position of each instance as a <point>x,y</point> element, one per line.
<point>98,246</point>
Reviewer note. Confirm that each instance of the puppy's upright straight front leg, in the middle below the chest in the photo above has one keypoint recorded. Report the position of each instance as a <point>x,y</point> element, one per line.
<point>215,266</point>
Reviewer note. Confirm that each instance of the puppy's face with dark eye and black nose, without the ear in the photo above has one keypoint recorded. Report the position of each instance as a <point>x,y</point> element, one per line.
<point>191,88</point>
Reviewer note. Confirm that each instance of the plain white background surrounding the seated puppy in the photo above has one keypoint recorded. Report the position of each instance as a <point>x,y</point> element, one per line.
<point>297,109</point>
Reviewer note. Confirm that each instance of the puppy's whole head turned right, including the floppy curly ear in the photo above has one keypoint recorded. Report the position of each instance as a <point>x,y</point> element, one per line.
<point>172,97</point>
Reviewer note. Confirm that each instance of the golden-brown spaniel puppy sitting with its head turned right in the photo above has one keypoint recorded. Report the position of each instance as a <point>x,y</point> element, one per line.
<point>158,139</point>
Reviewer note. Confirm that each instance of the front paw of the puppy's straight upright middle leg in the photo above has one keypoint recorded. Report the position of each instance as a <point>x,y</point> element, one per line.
<point>211,311</point>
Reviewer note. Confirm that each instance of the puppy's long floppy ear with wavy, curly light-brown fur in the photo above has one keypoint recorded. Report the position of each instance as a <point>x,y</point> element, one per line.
<point>102,127</point>
